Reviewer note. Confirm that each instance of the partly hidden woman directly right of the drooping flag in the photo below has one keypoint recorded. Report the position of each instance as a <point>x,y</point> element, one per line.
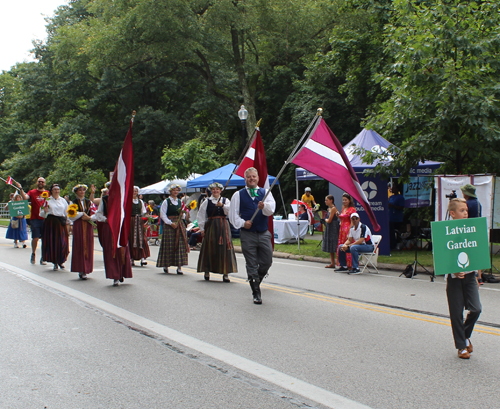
<point>137,243</point>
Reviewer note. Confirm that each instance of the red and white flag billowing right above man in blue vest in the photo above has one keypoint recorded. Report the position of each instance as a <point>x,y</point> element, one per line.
<point>323,155</point>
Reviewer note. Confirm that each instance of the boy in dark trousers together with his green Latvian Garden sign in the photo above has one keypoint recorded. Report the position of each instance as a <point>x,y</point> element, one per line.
<point>460,247</point>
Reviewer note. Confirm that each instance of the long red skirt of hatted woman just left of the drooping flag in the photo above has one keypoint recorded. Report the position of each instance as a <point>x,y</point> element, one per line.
<point>82,259</point>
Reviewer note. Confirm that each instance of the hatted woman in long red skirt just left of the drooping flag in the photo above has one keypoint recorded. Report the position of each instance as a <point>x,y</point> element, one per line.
<point>82,257</point>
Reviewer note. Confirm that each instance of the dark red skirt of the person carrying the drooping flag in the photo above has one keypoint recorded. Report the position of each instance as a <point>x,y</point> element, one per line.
<point>116,266</point>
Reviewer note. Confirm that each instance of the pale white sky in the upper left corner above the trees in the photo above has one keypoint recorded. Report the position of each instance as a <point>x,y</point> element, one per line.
<point>22,22</point>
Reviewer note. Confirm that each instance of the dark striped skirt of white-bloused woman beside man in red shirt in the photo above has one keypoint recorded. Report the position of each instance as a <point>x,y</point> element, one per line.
<point>55,243</point>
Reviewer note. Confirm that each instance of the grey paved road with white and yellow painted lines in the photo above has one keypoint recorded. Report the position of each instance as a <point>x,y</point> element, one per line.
<point>321,339</point>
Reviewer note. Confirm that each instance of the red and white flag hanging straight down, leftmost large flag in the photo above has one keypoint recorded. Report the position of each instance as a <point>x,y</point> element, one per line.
<point>121,192</point>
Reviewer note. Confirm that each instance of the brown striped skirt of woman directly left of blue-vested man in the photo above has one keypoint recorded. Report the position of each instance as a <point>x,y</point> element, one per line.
<point>217,251</point>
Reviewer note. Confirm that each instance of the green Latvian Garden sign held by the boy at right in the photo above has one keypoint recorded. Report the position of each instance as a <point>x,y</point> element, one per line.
<point>460,245</point>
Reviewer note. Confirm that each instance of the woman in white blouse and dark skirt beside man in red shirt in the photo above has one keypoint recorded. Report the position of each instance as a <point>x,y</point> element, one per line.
<point>55,241</point>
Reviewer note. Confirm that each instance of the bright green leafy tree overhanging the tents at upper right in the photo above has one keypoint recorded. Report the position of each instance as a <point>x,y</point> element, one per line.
<point>443,83</point>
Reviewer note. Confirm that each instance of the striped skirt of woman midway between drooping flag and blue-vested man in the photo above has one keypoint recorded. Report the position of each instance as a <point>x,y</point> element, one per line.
<point>174,247</point>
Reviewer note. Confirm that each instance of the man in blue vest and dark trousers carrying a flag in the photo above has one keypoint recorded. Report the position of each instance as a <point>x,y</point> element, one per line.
<point>255,236</point>
